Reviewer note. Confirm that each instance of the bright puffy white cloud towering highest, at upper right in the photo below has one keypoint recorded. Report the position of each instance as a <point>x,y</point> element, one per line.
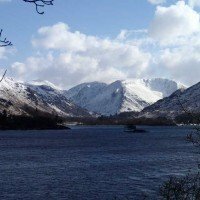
<point>175,21</point>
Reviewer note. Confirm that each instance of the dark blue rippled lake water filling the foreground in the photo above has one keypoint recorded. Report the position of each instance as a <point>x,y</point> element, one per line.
<point>91,162</point>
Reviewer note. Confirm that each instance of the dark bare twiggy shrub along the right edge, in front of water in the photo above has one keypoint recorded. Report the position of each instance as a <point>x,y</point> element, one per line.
<point>186,187</point>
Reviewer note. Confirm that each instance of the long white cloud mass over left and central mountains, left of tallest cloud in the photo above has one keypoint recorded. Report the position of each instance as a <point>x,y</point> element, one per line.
<point>73,57</point>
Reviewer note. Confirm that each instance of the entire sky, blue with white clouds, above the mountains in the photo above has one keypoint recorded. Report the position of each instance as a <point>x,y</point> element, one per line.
<point>78,41</point>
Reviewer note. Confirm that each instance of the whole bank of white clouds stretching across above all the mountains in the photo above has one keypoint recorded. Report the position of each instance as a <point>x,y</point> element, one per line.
<point>169,48</point>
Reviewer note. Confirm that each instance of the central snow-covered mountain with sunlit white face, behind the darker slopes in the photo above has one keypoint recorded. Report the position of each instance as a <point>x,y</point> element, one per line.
<point>121,96</point>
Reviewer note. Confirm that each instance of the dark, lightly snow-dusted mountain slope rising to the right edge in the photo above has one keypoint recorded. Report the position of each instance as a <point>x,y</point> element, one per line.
<point>179,102</point>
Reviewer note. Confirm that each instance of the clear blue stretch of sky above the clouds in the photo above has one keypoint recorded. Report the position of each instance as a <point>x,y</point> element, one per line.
<point>103,18</point>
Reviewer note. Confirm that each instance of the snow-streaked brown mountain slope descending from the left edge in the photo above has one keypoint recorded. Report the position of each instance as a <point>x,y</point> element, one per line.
<point>27,99</point>
